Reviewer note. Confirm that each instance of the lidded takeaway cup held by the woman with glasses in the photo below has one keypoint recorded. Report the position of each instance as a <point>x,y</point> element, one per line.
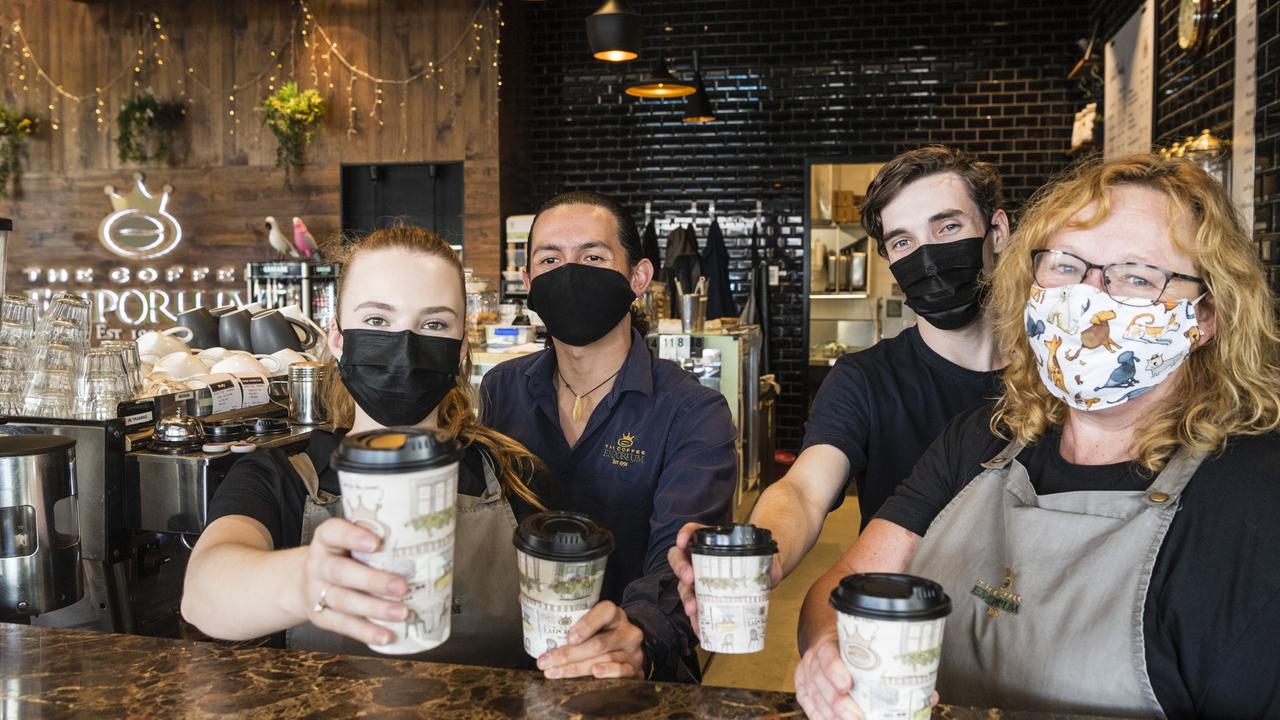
<point>890,632</point>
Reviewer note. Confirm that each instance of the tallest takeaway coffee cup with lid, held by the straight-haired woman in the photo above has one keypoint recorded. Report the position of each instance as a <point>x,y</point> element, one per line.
<point>401,485</point>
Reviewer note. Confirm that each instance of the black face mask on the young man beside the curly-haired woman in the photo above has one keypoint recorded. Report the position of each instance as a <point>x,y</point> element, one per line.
<point>941,282</point>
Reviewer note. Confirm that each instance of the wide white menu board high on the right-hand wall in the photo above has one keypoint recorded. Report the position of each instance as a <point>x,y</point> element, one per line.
<point>1131,86</point>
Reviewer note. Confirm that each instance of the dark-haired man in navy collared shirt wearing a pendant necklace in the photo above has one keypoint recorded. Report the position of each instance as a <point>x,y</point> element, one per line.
<point>630,440</point>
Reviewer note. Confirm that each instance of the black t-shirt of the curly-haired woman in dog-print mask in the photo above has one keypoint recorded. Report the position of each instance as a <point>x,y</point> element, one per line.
<point>1213,616</point>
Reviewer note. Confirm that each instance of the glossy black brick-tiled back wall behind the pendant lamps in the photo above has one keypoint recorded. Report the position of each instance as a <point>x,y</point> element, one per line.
<point>794,80</point>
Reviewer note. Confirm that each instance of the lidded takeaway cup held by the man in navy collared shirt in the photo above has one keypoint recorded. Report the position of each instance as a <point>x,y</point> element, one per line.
<point>561,558</point>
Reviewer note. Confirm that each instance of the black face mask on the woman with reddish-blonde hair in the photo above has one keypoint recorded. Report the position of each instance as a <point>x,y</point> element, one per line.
<point>399,379</point>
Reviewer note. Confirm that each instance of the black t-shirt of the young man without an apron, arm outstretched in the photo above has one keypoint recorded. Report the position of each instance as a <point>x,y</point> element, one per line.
<point>885,405</point>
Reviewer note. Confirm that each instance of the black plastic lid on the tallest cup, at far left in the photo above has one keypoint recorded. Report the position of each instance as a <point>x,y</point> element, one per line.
<point>395,450</point>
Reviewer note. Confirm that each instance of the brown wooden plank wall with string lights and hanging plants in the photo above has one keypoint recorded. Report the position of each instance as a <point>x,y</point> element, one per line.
<point>225,179</point>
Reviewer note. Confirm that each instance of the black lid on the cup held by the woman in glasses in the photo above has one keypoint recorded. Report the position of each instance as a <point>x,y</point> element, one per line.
<point>889,596</point>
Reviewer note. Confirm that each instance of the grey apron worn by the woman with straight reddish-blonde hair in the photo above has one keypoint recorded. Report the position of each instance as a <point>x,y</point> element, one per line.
<point>486,625</point>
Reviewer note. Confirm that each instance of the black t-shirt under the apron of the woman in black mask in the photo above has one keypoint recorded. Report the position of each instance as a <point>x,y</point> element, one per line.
<point>264,486</point>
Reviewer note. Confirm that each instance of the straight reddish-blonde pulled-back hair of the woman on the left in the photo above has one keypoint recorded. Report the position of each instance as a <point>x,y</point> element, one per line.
<point>456,416</point>
